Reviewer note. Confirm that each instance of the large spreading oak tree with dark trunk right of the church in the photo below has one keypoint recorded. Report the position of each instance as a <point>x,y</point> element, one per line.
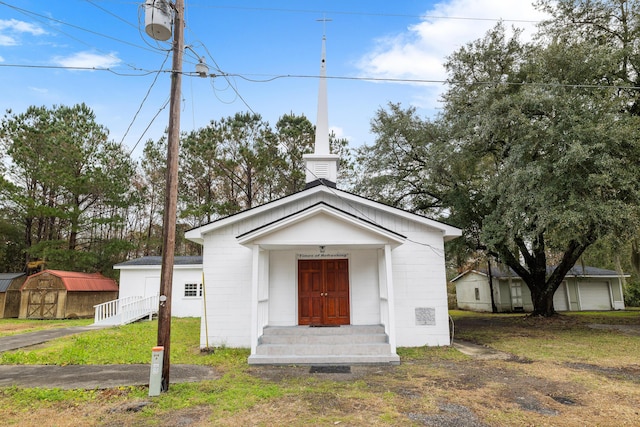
<point>535,155</point>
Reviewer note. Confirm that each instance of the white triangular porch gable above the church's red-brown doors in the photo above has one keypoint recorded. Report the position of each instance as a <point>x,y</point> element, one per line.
<point>310,227</point>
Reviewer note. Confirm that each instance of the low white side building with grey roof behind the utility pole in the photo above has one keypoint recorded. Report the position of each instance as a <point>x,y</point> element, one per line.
<point>141,278</point>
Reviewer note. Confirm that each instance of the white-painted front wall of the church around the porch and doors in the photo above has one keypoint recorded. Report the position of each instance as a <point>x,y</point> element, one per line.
<point>418,275</point>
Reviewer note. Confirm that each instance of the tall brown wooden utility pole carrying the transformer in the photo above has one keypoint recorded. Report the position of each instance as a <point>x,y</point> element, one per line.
<point>171,194</point>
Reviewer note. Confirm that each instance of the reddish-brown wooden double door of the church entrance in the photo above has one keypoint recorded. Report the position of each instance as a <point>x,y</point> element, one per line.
<point>323,292</point>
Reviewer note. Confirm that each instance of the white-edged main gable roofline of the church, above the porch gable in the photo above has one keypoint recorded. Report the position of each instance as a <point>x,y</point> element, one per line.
<point>449,232</point>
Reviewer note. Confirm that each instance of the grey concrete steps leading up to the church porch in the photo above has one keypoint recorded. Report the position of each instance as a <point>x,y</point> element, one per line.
<point>304,345</point>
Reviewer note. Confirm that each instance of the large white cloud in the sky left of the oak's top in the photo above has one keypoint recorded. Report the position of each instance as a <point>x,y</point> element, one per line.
<point>419,52</point>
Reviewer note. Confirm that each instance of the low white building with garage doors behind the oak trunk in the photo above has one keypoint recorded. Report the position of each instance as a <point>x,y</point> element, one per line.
<point>584,288</point>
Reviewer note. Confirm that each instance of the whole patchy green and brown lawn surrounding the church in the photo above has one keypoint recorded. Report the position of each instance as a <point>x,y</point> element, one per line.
<point>562,373</point>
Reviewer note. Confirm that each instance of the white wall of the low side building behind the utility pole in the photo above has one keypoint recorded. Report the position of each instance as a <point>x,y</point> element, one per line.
<point>145,282</point>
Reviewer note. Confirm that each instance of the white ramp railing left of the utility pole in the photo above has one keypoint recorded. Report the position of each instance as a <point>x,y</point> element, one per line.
<point>125,310</point>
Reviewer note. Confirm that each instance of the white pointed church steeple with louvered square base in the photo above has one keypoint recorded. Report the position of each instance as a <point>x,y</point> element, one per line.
<point>322,166</point>
